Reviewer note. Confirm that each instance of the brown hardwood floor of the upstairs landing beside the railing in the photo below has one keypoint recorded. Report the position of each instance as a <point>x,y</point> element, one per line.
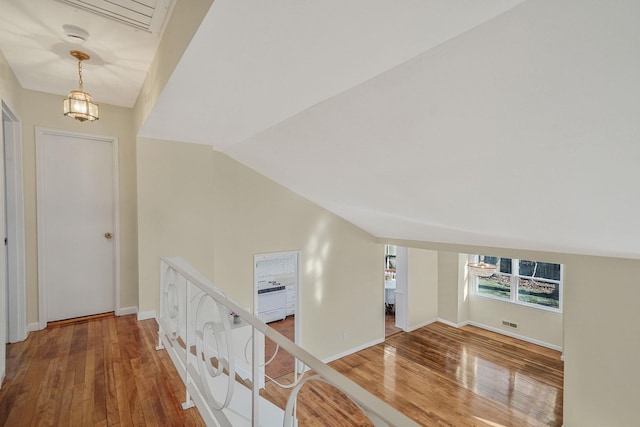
<point>93,373</point>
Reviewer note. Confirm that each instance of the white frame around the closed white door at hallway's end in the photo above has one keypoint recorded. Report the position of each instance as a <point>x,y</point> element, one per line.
<point>41,215</point>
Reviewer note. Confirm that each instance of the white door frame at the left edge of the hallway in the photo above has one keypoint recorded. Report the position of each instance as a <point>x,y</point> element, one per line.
<point>16,286</point>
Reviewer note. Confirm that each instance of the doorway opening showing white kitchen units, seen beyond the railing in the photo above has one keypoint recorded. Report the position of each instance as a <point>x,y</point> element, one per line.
<point>276,303</point>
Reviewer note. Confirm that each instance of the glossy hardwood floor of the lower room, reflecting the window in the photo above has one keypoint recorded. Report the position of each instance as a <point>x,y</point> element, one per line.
<point>443,376</point>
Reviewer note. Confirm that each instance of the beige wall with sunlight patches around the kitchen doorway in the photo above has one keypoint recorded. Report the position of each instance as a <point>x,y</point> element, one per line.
<point>341,280</point>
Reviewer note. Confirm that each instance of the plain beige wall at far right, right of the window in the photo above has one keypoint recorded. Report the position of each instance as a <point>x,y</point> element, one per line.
<point>601,341</point>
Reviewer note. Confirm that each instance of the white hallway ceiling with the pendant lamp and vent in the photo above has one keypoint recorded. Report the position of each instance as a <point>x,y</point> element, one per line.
<point>37,49</point>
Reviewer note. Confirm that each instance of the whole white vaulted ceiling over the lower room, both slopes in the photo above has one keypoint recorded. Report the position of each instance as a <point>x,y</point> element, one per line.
<point>492,123</point>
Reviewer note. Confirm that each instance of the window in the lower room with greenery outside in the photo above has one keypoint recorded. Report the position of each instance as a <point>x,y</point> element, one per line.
<point>532,283</point>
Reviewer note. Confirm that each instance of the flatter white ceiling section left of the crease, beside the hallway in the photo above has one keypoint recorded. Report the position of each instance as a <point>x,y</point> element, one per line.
<point>255,63</point>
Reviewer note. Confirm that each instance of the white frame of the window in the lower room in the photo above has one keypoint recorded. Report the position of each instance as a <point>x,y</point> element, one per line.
<point>514,283</point>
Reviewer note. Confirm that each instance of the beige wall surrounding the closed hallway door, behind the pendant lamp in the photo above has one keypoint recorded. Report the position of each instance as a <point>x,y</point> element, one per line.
<point>45,110</point>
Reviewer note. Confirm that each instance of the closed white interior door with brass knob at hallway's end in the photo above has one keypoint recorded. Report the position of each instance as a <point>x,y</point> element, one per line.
<point>75,225</point>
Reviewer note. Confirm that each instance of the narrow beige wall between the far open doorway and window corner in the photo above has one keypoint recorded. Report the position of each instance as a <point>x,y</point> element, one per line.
<point>422,289</point>
